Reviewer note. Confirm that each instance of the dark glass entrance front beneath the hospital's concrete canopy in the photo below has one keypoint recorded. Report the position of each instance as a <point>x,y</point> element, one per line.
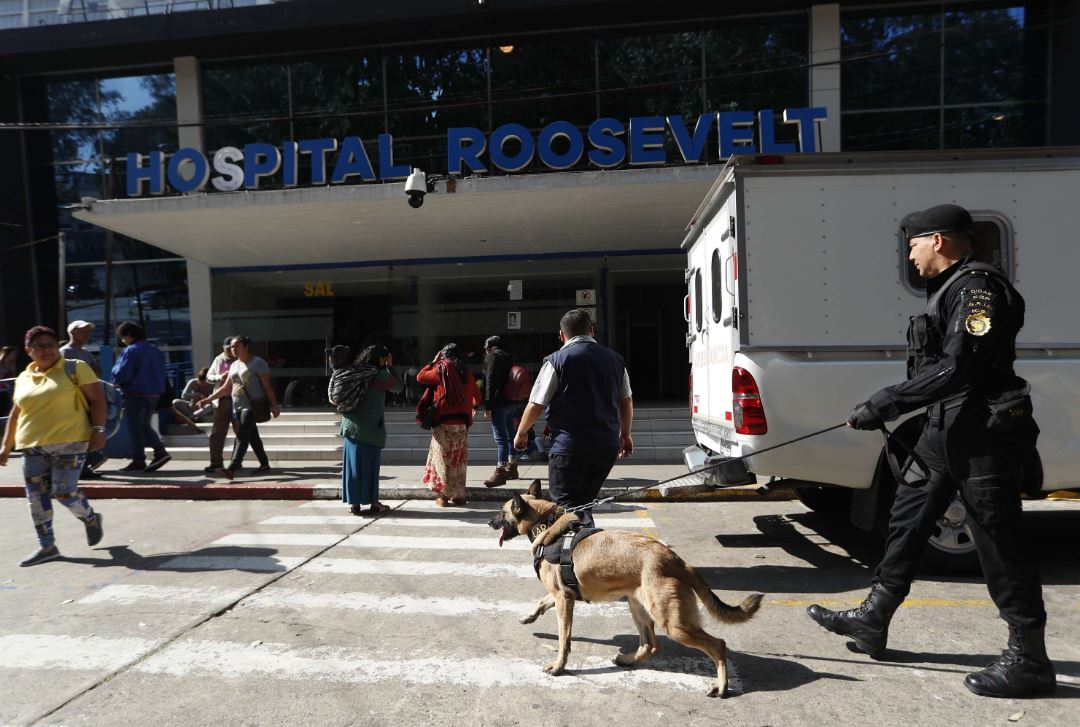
<point>293,316</point>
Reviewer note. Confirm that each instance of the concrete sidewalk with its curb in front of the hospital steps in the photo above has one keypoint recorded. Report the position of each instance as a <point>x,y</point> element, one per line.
<point>305,481</point>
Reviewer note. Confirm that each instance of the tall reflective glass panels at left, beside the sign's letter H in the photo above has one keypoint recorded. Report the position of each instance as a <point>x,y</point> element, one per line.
<point>148,285</point>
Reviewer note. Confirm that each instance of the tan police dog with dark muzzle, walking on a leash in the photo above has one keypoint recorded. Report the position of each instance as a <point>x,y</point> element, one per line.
<point>616,564</point>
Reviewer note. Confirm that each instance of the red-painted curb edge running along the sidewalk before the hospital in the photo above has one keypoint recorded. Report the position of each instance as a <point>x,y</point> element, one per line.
<point>263,491</point>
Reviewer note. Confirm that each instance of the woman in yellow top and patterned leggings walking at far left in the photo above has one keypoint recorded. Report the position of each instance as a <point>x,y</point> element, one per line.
<point>49,425</point>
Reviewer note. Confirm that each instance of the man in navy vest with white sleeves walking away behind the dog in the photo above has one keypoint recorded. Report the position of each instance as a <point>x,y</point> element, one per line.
<point>586,388</point>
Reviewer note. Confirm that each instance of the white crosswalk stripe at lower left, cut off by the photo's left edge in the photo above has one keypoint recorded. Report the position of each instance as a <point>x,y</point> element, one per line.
<point>59,652</point>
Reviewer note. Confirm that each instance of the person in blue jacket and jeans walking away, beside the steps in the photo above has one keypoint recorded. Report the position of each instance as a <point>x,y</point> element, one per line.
<point>140,373</point>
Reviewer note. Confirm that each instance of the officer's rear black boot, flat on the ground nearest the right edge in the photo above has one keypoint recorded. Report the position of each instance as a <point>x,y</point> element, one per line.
<point>1023,669</point>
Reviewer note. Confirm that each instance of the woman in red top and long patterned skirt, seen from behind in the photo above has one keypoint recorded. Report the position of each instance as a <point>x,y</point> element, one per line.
<point>456,395</point>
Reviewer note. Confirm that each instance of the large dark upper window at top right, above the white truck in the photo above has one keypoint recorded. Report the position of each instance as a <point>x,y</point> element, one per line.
<point>951,77</point>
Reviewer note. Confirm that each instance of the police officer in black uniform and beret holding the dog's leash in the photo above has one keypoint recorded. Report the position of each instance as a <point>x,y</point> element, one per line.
<point>978,436</point>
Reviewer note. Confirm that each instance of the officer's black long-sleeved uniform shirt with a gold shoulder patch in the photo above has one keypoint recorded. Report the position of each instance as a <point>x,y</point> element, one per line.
<point>978,338</point>
